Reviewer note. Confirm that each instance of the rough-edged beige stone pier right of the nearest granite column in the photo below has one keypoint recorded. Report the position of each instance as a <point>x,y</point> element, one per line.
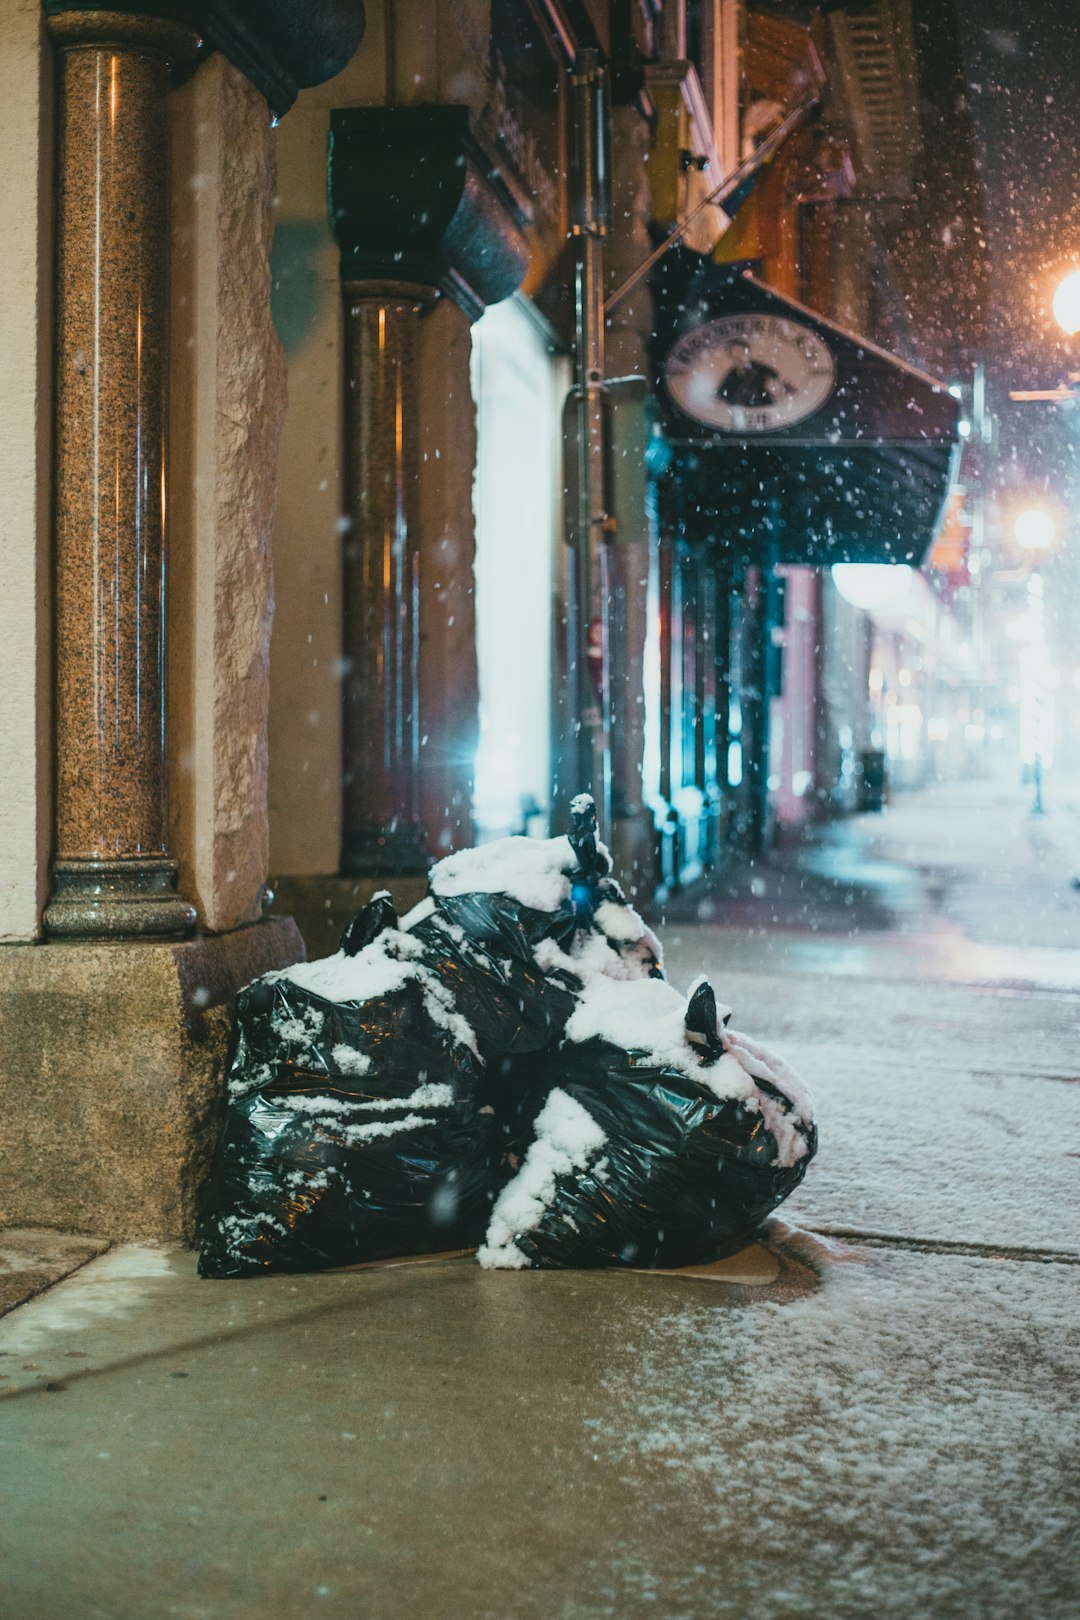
<point>227,409</point>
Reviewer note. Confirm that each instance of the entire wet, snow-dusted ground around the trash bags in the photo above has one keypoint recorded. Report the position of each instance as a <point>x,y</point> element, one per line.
<point>872,1413</point>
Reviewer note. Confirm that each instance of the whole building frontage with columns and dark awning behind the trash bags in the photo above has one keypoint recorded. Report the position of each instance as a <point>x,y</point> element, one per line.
<point>354,511</point>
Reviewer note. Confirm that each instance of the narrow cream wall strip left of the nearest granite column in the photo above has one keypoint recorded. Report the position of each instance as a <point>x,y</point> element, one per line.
<point>25,471</point>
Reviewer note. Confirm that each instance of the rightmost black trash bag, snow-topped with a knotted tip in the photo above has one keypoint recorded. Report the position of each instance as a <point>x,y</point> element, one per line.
<point>666,1140</point>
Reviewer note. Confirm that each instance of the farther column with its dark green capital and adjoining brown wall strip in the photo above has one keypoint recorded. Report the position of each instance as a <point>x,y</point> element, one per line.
<point>422,221</point>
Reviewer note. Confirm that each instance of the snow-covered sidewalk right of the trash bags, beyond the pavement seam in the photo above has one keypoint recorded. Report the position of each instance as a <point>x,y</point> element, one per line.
<point>930,995</point>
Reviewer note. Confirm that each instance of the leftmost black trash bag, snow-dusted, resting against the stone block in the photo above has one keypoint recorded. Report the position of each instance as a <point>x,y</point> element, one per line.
<point>352,1128</point>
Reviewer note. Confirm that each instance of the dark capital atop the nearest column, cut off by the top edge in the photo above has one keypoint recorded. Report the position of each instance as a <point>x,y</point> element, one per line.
<point>281,46</point>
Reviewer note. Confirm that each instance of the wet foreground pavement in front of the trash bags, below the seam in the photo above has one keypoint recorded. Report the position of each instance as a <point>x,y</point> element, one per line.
<point>444,1441</point>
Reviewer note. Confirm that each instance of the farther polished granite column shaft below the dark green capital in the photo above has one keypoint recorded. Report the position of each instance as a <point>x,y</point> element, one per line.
<point>383,832</point>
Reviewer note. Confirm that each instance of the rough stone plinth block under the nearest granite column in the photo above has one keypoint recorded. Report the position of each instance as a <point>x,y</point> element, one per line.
<point>113,1091</point>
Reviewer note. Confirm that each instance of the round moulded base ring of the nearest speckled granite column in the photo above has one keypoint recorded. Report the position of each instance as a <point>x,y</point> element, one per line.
<point>109,900</point>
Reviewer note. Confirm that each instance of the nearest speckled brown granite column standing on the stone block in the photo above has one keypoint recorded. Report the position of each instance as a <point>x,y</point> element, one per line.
<point>113,868</point>
